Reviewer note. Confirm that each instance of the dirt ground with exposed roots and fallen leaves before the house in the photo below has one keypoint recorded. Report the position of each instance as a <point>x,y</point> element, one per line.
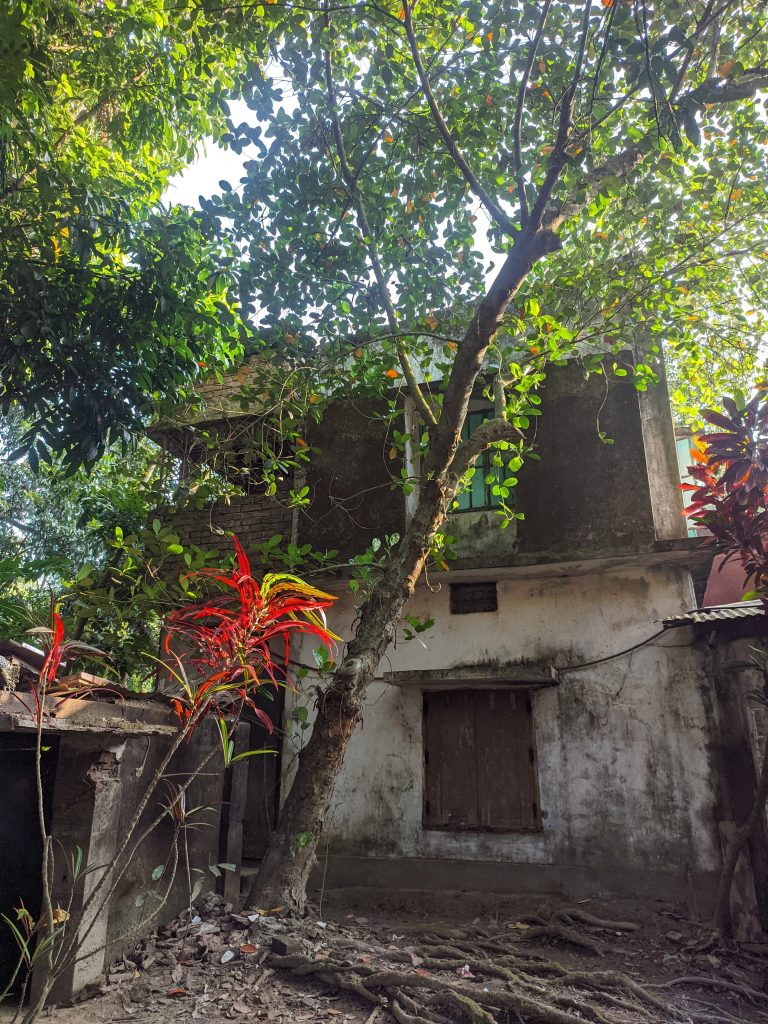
<point>426,959</point>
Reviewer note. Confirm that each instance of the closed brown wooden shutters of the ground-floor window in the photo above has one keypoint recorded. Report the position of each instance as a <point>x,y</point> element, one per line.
<point>480,762</point>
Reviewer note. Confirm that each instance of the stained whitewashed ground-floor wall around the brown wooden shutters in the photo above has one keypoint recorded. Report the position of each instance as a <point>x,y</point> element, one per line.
<point>624,761</point>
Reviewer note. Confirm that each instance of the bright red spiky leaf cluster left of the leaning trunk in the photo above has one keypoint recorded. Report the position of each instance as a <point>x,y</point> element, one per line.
<point>224,648</point>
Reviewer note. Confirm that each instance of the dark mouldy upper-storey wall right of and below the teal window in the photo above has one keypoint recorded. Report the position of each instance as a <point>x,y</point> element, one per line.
<point>584,498</point>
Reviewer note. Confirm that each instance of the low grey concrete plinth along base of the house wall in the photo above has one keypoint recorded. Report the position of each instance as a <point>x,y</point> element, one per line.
<point>573,881</point>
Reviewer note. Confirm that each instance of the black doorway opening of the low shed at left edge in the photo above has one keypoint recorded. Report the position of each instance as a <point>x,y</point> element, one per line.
<point>21,846</point>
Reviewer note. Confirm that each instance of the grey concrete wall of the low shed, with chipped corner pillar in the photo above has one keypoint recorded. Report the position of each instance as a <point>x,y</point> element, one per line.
<point>100,781</point>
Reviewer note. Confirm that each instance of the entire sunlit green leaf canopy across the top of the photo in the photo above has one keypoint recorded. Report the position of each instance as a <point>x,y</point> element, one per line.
<point>112,309</point>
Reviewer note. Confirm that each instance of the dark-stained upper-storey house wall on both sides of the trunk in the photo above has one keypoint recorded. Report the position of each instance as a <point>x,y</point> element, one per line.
<point>584,499</point>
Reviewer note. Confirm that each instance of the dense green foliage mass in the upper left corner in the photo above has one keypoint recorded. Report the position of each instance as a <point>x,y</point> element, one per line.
<point>106,303</point>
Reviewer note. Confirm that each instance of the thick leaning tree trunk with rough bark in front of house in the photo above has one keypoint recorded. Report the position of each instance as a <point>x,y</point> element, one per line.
<point>290,858</point>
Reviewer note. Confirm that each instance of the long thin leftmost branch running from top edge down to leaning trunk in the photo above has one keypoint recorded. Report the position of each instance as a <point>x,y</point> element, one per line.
<point>368,237</point>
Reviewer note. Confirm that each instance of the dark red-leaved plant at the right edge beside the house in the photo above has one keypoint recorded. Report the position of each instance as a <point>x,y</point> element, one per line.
<point>731,498</point>
